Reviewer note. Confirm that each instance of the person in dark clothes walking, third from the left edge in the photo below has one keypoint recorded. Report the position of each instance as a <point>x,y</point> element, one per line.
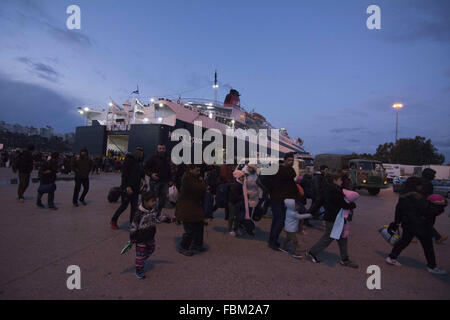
<point>81,166</point>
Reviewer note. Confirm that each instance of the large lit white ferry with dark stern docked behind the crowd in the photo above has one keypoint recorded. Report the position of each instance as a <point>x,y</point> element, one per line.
<point>136,123</point>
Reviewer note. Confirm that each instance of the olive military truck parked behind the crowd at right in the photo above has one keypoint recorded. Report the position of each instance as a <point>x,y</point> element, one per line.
<point>363,173</point>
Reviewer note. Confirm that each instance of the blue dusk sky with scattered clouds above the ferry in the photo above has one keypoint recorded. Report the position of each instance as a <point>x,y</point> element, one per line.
<point>312,67</point>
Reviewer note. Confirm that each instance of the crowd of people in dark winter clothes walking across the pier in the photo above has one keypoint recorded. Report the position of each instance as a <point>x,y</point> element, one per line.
<point>245,197</point>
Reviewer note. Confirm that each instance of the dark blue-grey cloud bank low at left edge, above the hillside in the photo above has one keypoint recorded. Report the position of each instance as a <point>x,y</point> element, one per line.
<point>31,104</point>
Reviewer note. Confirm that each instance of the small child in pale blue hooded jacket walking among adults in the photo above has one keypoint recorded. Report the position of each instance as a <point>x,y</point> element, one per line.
<point>291,227</point>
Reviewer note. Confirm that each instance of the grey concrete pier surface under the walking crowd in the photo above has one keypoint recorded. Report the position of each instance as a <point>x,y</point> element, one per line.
<point>38,245</point>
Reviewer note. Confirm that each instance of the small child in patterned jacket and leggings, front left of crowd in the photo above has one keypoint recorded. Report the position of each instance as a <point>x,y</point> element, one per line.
<point>143,230</point>
